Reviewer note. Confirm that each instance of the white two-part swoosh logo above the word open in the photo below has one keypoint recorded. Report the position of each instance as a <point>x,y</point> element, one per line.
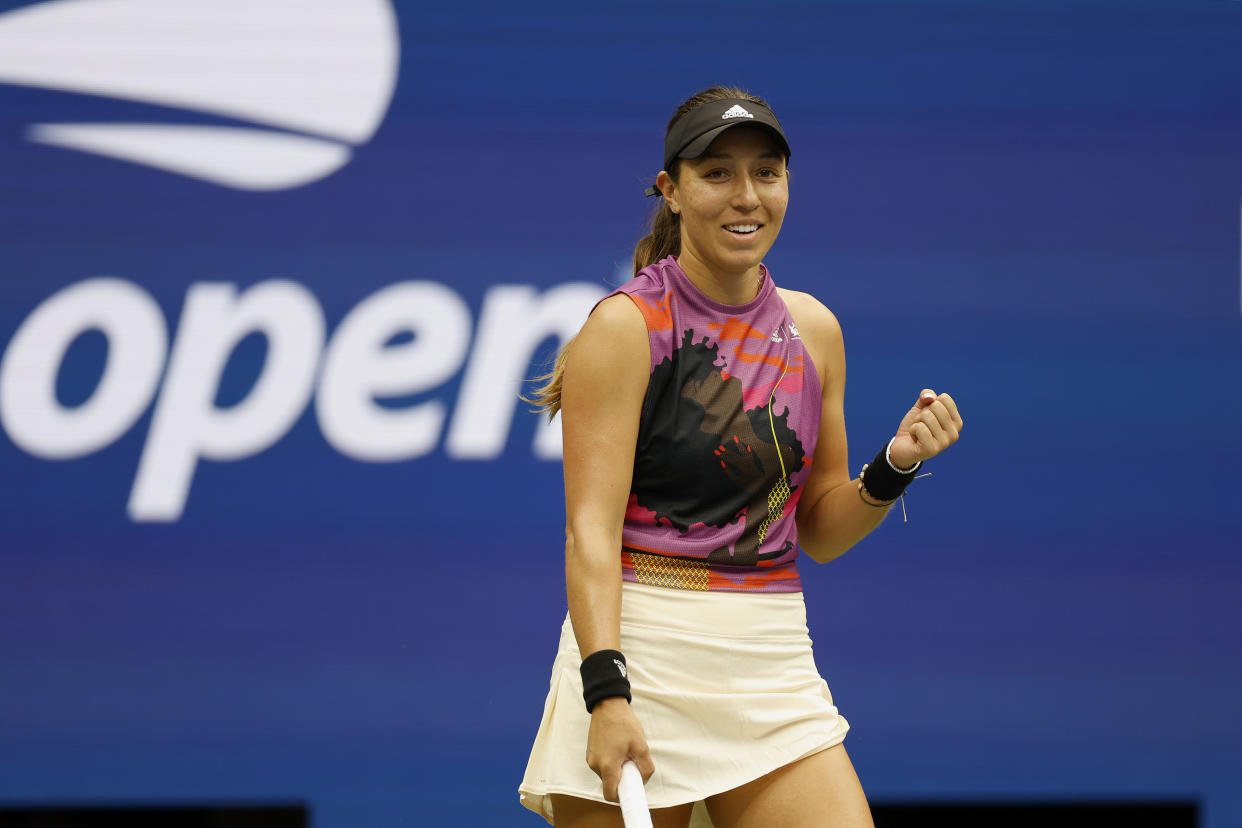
<point>326,68</point>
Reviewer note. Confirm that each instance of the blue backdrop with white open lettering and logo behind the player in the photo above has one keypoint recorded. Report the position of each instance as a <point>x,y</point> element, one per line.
<point>274,528</point>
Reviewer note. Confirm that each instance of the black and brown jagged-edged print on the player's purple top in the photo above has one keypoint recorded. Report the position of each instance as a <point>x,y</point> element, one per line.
<point>702,457</point>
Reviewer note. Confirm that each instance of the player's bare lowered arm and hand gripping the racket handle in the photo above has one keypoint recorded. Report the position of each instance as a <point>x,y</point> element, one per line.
<point>607,373</point>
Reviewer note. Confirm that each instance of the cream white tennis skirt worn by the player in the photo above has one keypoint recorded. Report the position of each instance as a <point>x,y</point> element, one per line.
<point>726,688</point>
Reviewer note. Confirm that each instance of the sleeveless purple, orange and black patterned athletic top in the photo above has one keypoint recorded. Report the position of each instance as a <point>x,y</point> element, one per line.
<point>726,440</point>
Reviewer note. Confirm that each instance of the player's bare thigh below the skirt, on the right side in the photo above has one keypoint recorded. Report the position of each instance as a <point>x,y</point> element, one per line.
<point>820,791</point>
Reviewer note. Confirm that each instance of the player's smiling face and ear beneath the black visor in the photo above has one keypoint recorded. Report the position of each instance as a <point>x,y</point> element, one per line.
<point>732,202</point>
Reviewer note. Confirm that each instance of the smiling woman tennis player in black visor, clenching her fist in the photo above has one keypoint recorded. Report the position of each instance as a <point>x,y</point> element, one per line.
<point>705,444</point>
